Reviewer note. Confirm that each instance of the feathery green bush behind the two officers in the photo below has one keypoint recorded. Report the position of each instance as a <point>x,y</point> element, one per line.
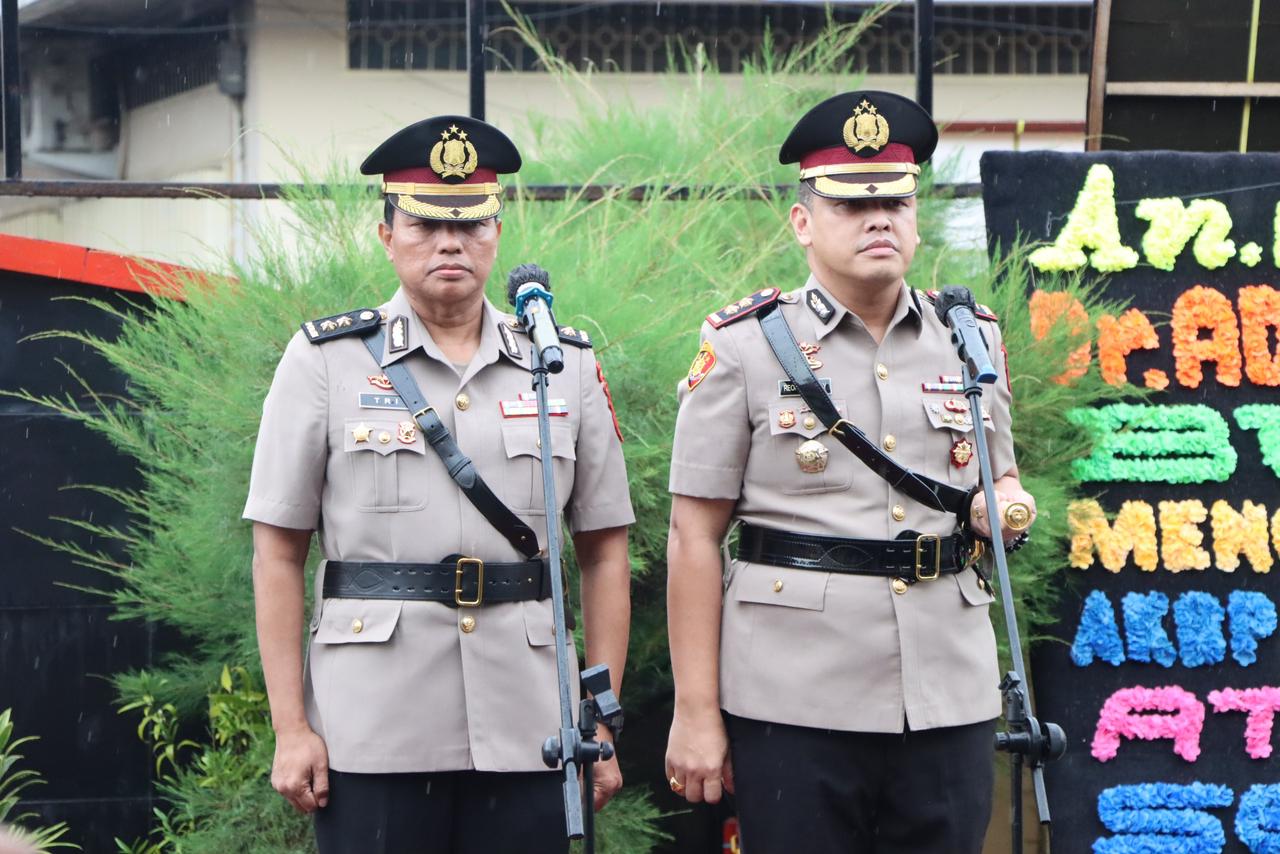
<point>639,276</point>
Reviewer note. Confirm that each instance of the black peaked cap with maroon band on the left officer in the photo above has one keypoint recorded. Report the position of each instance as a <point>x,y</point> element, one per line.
<point>445,168</point>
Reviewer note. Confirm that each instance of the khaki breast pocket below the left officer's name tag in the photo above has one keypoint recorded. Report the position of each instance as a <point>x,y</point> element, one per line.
<point>388,465</point>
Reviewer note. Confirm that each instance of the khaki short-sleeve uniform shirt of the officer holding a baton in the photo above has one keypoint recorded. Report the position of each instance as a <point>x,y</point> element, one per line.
<point>835,651</point>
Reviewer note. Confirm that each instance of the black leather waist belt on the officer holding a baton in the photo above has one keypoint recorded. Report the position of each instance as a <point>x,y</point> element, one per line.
<point>912,558</point>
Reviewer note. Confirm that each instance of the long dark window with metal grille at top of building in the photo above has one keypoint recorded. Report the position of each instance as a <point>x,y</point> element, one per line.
<point>431,35</point>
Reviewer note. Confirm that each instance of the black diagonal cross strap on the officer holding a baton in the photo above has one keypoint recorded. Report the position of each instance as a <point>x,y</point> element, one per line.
<point>927,491</point>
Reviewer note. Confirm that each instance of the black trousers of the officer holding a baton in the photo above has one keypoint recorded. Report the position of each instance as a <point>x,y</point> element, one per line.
<point>824,792</point>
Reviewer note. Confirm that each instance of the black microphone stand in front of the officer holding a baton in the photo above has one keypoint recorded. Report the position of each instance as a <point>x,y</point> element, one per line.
<point>1026,739</point>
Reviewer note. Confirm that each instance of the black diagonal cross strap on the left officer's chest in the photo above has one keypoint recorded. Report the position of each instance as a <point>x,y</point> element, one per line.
<point>458,464</point>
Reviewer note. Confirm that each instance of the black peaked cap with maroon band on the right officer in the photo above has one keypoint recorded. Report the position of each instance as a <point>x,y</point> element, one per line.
<point>862,145</point>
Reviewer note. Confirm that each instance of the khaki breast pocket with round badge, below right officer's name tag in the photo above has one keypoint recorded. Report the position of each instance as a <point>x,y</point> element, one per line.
<point>806,459</point>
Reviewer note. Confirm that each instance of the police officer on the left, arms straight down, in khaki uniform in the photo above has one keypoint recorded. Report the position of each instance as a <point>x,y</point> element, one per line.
<point>418,719</point>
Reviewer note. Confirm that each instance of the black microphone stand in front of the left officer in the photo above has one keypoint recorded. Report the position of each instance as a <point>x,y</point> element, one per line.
<point>574,747</point>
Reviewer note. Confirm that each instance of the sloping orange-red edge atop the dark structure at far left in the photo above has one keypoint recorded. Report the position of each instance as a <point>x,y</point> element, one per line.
<point>71,263</point>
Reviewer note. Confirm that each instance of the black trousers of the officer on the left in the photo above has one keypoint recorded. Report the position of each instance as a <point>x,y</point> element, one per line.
<point>455,812</point>
